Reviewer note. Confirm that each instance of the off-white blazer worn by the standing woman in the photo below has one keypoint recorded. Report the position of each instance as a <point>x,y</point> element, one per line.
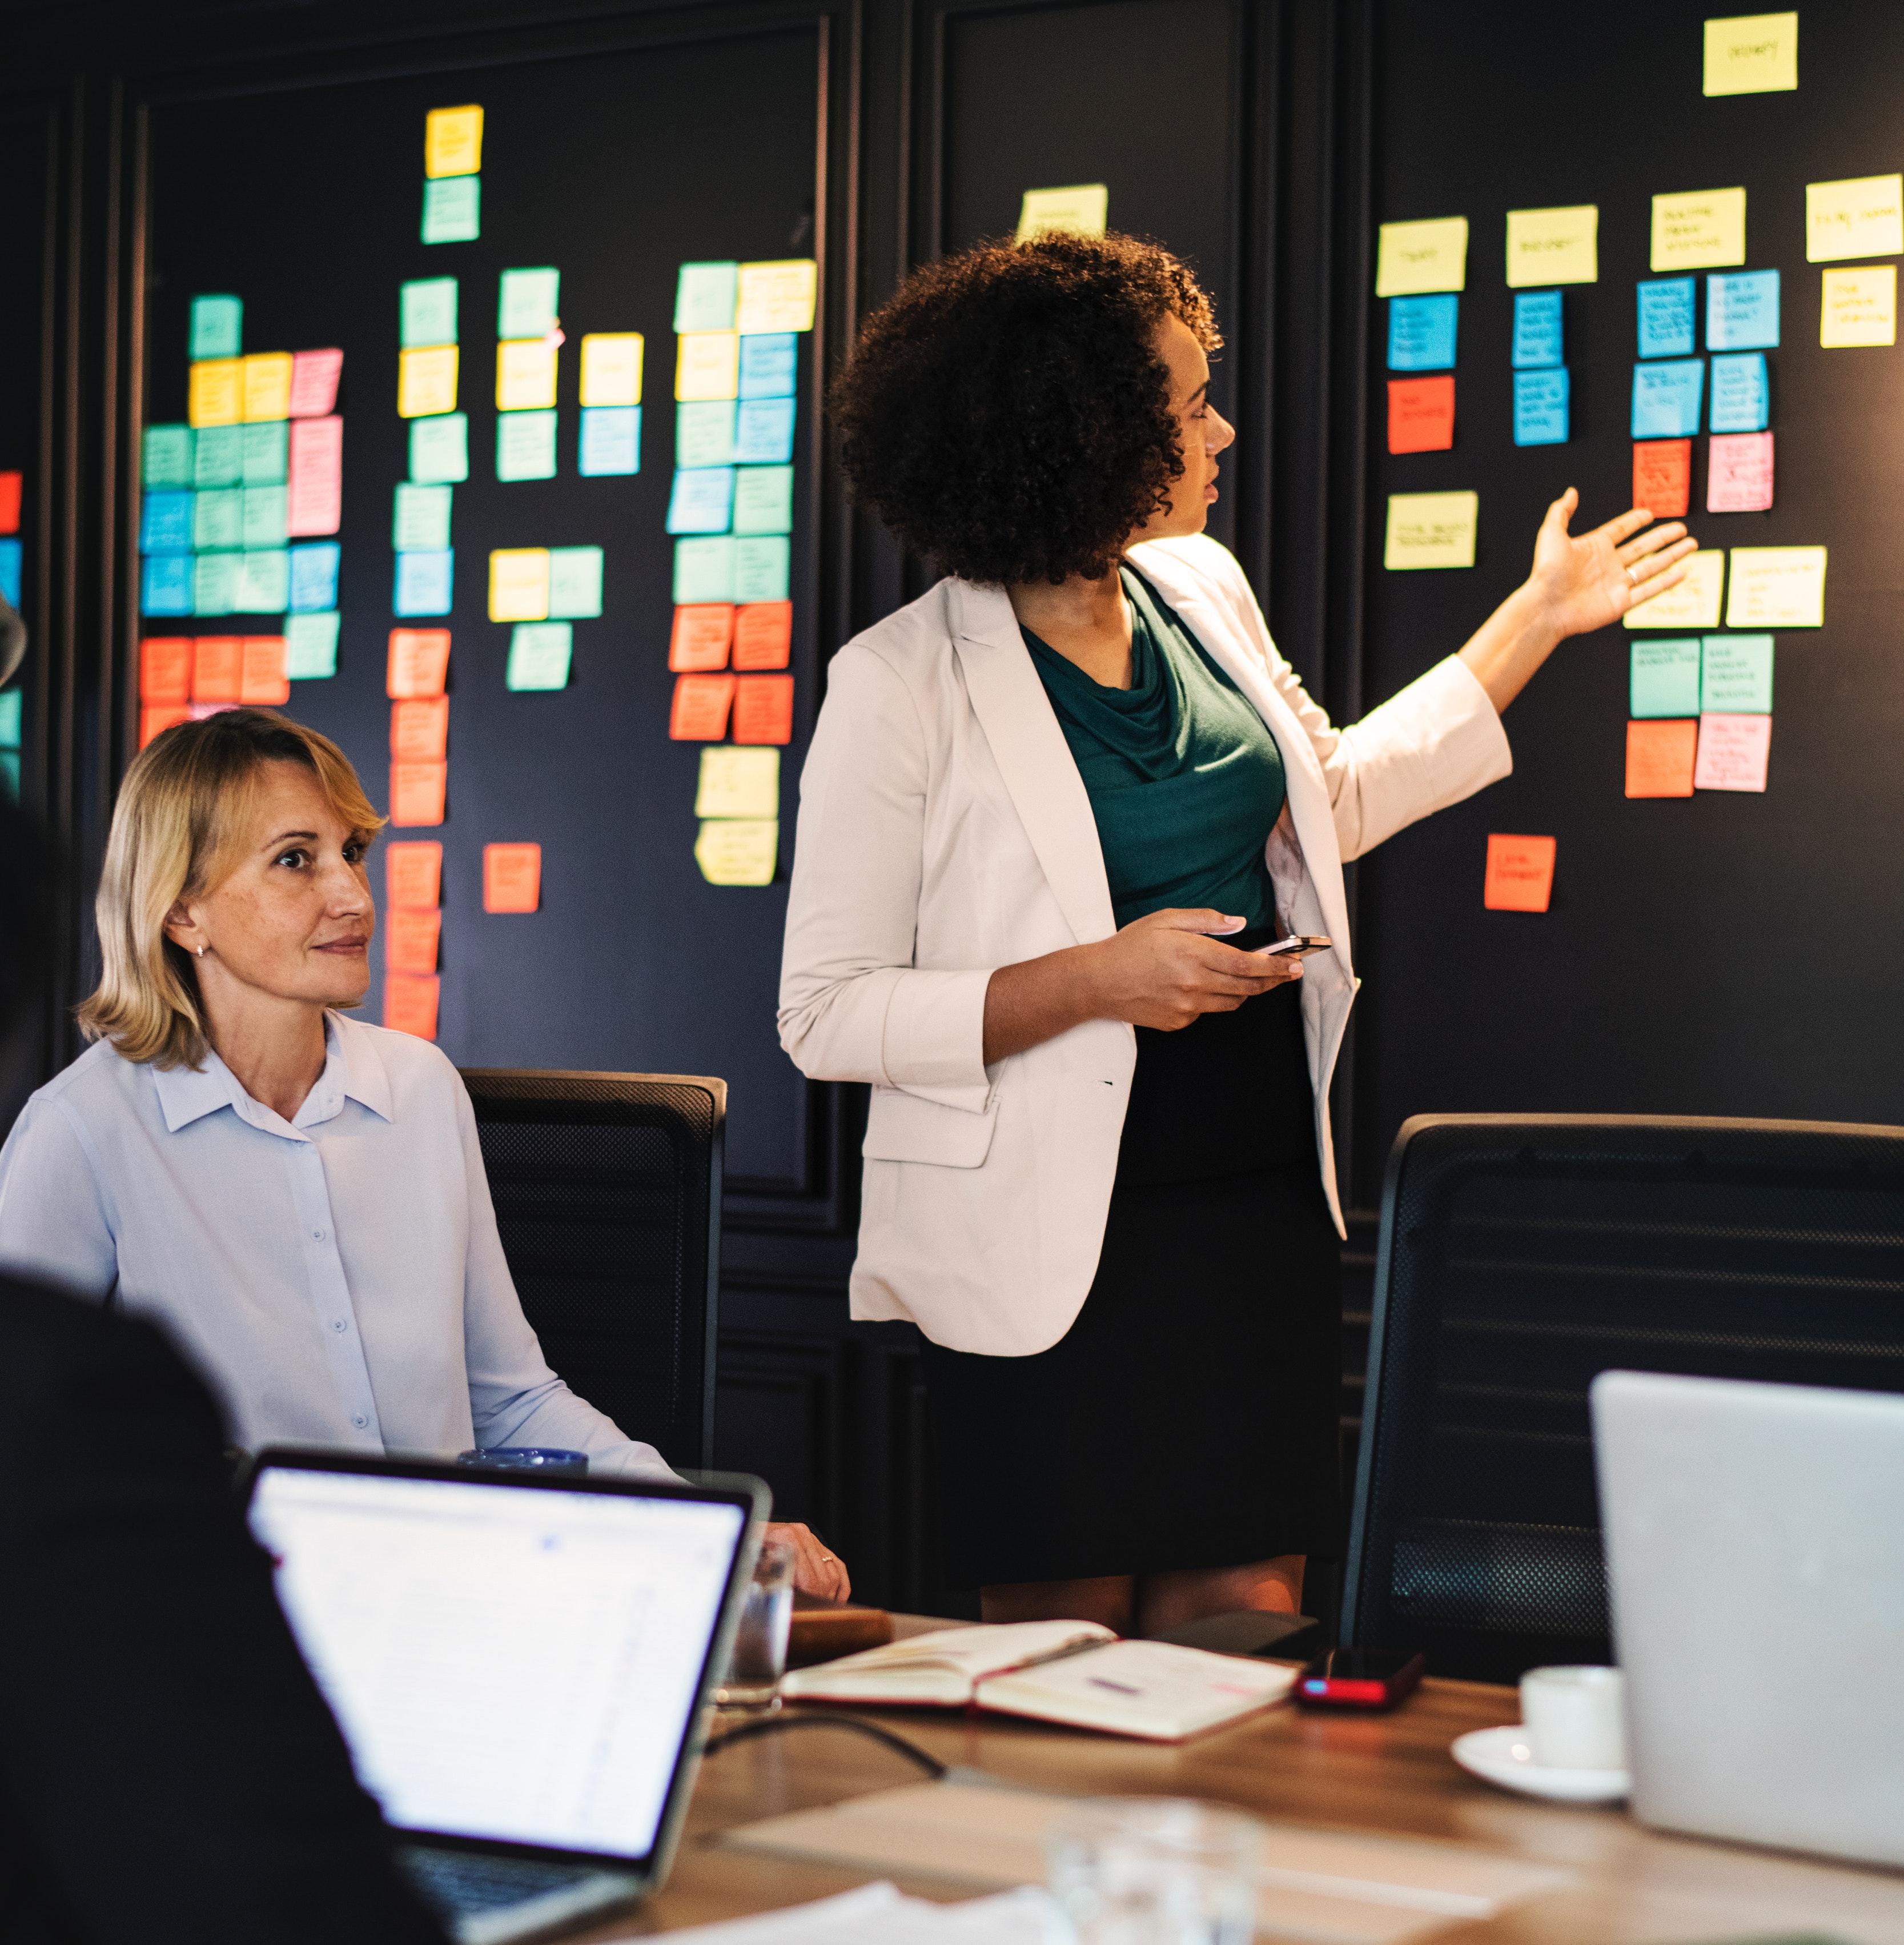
<point>944,831</point>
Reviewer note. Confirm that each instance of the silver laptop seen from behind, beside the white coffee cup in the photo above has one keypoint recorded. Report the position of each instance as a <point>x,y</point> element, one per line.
<point>1755,1549</point>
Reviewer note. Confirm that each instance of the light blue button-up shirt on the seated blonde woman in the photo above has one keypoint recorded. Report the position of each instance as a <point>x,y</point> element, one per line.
<point>337,1277</point>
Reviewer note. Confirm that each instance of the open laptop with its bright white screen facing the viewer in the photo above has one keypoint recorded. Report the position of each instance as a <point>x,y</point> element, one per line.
<point>518,1664</point>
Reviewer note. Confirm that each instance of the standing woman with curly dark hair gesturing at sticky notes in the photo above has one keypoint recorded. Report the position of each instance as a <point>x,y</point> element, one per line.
<point>1053,812</point>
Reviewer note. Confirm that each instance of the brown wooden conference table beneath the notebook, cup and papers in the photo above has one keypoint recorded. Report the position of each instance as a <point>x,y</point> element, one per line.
<point>1386,1775</point>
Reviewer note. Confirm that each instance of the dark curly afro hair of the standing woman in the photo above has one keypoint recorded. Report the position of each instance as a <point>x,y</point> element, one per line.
<point>1006,413</point>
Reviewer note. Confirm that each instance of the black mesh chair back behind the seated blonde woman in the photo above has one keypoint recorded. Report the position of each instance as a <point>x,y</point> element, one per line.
<point>608,1193</point>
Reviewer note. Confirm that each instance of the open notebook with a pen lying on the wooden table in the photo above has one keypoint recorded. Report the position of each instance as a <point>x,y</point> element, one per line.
<point>1069,1672</point>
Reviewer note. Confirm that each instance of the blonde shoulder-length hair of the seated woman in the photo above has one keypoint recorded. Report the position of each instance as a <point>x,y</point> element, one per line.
<point>182,814</point>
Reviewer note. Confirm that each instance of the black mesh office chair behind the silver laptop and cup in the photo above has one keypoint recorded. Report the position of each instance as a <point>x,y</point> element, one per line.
<point>1524,1255</point>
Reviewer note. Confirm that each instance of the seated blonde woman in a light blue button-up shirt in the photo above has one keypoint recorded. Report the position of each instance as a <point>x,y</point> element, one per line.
<point>295,1195</point>
